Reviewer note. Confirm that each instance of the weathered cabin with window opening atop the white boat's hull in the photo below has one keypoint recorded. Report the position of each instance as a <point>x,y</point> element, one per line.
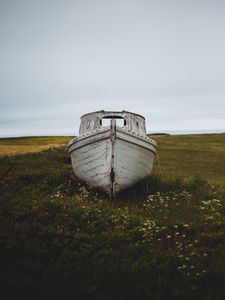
<point>97,120</point>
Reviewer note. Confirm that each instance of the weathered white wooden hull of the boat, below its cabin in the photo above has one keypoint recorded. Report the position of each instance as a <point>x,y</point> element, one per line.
<point>112,160</point>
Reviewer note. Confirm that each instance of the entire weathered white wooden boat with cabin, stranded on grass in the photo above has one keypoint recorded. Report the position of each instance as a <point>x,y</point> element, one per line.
<point>112,158</point>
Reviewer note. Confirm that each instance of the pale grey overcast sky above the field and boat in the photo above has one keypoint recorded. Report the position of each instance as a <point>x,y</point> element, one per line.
<point>164,59</point>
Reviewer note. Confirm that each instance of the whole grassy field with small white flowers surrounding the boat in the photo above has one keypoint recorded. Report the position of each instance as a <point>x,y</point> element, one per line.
<point>163,239</point>
